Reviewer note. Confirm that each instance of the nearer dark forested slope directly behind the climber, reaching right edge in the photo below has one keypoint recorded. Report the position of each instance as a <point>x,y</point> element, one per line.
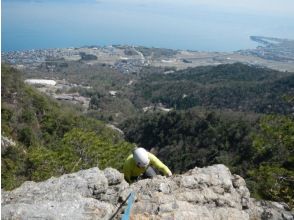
<point>259,150</point>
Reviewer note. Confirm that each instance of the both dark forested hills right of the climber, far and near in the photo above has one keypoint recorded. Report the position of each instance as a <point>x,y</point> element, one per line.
<point>238,115</point>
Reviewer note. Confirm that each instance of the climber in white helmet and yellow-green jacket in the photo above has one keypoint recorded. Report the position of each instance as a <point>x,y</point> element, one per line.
<point>142,164</point>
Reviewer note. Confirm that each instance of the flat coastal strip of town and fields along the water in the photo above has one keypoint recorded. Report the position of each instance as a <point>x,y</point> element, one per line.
<point>129,59</point>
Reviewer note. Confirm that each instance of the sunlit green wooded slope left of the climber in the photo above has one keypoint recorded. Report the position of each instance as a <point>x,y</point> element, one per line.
<point>51,138</point>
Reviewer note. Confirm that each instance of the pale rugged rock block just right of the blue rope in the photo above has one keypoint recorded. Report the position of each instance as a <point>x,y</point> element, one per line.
<point>206,193</point>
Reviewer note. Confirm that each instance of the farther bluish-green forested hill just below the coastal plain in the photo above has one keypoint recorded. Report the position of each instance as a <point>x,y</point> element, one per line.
<point>237,86</point>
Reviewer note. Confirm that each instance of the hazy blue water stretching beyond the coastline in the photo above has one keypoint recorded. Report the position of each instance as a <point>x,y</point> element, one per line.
<point>29,24</point>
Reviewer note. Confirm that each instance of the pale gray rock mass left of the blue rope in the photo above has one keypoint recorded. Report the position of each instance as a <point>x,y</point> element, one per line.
<point>70,196</point>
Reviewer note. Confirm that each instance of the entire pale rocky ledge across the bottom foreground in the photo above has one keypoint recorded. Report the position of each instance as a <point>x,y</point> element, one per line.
<point>201,193</point>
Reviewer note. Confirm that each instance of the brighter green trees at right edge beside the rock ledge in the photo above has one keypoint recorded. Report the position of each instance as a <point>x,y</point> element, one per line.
<point>274,147</point>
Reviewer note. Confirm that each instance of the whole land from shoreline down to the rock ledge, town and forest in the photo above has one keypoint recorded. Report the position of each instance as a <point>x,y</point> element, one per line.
<point>75,108</point>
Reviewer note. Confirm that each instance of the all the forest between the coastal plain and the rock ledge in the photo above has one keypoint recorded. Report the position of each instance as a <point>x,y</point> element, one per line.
<point>234,114</point>
